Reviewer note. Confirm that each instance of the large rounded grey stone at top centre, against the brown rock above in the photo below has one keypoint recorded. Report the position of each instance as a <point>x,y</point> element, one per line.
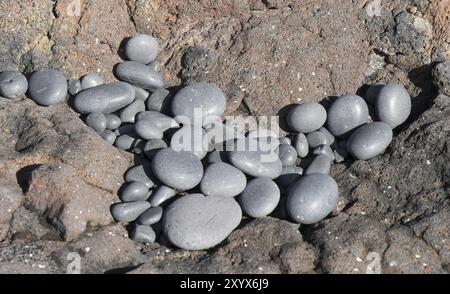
<point>208,98</point>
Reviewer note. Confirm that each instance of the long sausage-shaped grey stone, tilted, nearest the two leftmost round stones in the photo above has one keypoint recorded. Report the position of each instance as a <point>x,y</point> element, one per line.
<point>104,98</point>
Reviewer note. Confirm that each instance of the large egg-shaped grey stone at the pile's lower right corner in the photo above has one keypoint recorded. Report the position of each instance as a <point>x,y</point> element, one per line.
<point>312,198</point>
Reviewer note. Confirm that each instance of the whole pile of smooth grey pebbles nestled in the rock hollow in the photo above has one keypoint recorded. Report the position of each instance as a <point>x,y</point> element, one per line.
<point>193,199</point>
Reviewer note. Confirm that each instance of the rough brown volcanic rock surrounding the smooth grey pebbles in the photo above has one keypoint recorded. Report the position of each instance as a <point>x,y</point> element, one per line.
<point>394,210</point>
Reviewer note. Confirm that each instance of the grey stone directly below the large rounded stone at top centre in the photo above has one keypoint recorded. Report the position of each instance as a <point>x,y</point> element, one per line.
<point>191,138</point>
